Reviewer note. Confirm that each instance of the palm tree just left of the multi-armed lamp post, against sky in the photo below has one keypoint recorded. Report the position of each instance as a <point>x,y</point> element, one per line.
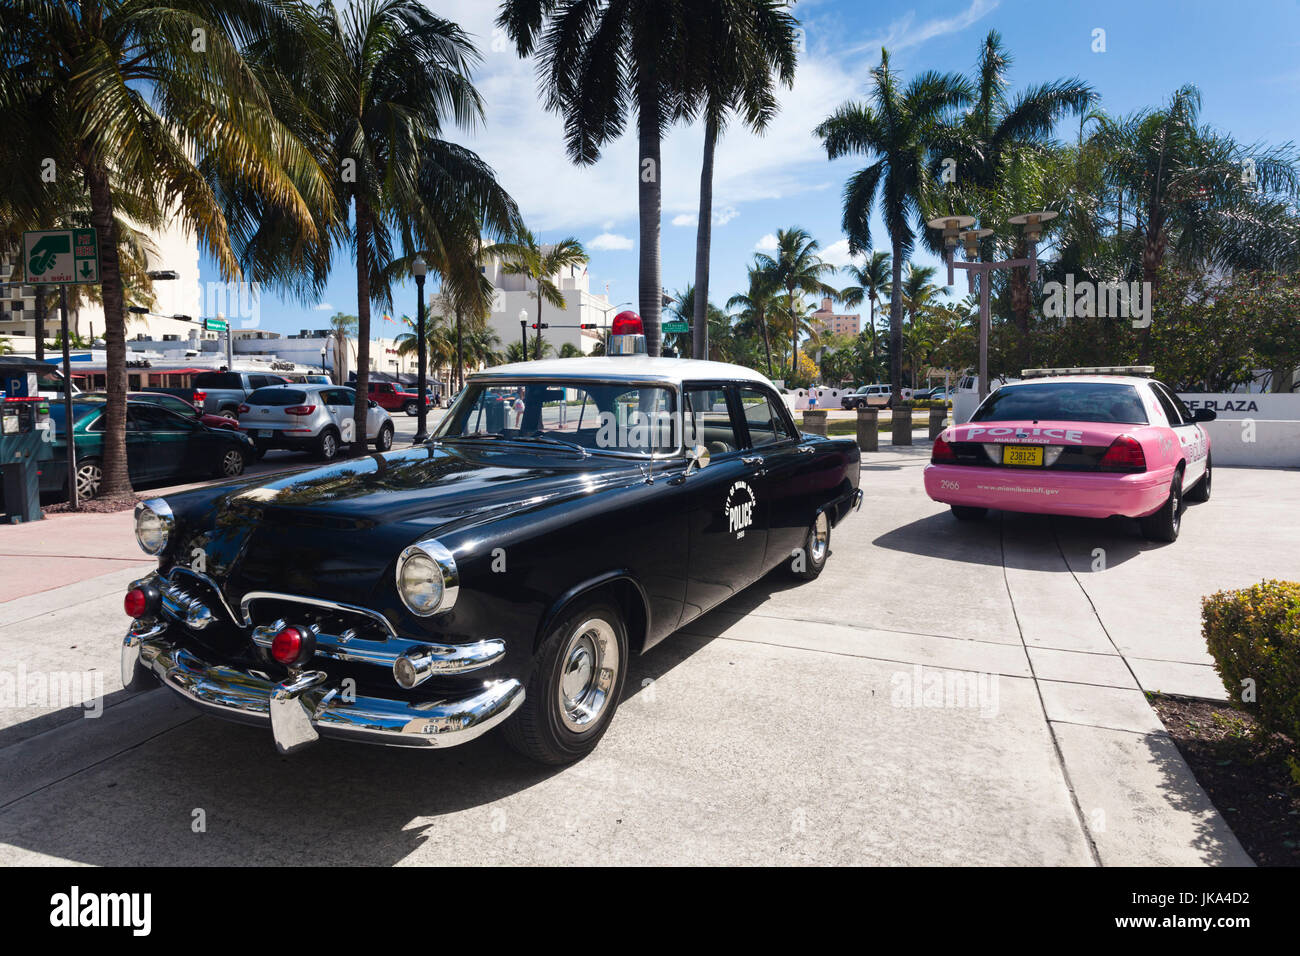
<point>896,128</point>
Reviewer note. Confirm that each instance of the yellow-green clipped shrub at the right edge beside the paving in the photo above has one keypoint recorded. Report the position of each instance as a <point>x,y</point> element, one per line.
<point>1254,637</point>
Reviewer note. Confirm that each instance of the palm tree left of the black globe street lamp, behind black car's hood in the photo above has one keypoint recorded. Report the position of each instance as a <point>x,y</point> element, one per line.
<point>382,83</point>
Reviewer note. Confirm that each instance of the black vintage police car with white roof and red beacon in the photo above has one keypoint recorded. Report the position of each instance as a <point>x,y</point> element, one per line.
<point>565,516</point>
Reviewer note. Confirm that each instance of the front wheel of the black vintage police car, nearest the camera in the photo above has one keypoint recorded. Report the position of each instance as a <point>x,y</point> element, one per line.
<point>575,686</point>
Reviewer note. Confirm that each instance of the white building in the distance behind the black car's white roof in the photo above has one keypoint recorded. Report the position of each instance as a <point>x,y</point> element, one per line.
<point>518,295</point>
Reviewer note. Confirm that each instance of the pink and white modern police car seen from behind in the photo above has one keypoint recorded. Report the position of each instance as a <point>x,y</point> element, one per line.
<point>1090,443</point>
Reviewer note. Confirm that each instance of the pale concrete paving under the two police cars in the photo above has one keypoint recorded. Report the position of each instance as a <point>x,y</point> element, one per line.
<point>946,694</point>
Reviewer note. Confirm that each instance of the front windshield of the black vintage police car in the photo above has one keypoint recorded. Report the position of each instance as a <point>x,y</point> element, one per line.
<point>617,418</point>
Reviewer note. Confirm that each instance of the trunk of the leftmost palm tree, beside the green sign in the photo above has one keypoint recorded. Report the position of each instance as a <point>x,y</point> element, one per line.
<point>116,475</point>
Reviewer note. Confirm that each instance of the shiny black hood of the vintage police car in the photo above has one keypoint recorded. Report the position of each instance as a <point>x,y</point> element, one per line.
<point>335,531</point>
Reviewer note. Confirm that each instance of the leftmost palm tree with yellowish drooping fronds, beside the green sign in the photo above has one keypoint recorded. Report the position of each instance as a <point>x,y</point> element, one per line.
<point>129,105</point>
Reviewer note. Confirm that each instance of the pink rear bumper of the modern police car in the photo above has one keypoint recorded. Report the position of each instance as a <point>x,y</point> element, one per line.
<point>1082,495</point>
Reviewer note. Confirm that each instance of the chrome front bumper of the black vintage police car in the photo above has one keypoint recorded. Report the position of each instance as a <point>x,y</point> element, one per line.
<point>307,707</point>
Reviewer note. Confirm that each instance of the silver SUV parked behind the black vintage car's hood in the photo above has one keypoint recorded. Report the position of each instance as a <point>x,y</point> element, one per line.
<point>310,418</point>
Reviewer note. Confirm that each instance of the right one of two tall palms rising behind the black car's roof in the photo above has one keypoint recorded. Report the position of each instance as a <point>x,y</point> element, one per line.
<point>761,38</point>
